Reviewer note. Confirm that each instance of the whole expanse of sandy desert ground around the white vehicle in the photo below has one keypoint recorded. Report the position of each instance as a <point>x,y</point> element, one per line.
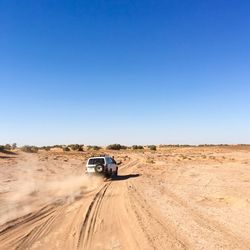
<point>175,198</point>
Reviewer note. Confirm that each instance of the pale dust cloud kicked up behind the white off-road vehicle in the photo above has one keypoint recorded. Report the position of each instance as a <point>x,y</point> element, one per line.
<point>34,190</point>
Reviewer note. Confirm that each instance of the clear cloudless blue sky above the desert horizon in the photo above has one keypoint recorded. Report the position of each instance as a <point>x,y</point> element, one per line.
<point>131,72</point>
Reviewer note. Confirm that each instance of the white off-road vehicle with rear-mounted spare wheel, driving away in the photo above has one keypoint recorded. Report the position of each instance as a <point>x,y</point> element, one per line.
<point>105,165</point>
